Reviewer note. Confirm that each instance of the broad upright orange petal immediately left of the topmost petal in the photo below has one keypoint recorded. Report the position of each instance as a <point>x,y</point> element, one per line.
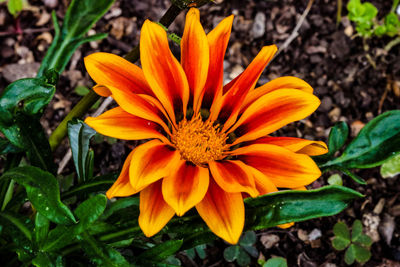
<point>163,72</point>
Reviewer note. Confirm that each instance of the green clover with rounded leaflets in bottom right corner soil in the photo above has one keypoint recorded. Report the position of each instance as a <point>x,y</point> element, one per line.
<point>357,244</point>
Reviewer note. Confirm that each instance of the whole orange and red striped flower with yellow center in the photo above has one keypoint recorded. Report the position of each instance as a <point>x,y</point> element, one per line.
<point>210,143</point>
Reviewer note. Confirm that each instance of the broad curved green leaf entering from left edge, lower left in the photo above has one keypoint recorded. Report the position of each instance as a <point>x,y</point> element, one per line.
<point>43,191</point>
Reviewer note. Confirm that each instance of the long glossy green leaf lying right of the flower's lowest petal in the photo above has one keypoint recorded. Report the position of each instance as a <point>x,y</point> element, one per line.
<point>294,206</point>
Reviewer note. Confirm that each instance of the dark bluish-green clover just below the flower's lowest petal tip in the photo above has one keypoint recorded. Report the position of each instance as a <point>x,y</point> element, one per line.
<point>243,250</point>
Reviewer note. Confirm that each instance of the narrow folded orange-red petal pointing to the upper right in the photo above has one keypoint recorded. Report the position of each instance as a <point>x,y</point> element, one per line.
<point>233,99</point>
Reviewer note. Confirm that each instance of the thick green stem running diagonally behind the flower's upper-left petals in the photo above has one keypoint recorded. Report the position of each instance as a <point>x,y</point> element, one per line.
<point>88,100</point>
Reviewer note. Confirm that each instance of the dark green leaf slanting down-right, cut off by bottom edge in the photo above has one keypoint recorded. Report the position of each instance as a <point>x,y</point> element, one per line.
<point>101,254</point>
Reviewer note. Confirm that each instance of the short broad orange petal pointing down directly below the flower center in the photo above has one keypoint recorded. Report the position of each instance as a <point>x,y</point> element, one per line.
<point>185,187</point>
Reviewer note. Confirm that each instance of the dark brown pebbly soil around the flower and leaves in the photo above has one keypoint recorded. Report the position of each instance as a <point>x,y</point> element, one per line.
<point>325,54</point>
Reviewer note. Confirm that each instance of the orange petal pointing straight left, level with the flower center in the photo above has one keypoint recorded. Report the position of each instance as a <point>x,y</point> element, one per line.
<point>120,124</point>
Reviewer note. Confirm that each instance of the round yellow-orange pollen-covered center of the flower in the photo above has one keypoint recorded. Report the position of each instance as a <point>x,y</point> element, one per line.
<point>198,141</point>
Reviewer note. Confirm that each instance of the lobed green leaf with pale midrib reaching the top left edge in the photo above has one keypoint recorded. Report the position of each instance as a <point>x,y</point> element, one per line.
<point>80,17</point>
